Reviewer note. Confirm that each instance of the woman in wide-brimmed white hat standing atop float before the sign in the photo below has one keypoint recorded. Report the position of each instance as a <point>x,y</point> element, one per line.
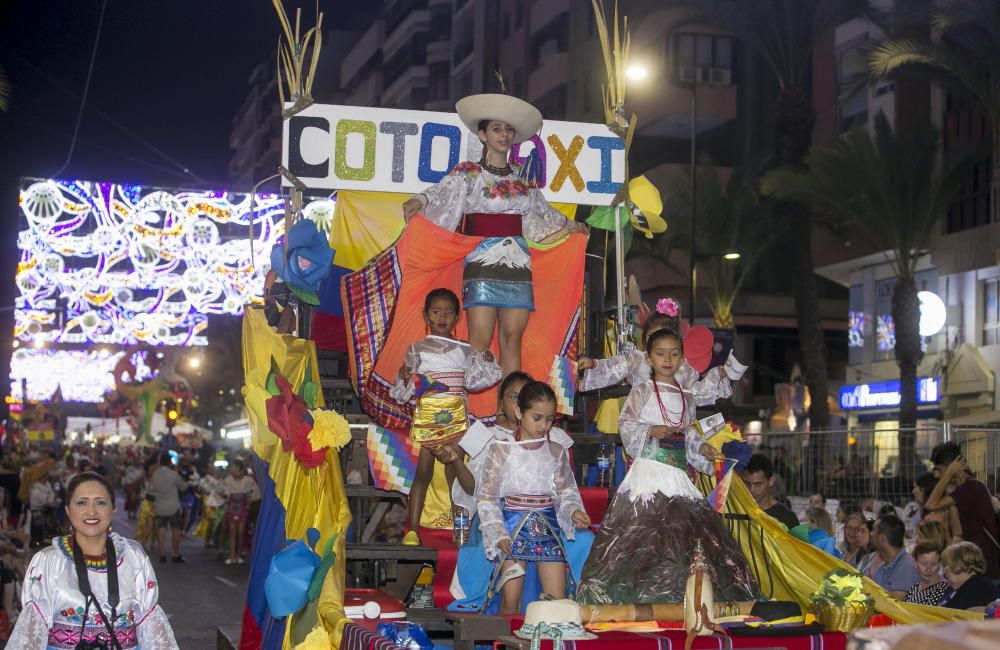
<point>496,200</point>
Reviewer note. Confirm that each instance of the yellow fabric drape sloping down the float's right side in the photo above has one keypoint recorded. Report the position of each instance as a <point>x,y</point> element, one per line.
<point>798,567</point>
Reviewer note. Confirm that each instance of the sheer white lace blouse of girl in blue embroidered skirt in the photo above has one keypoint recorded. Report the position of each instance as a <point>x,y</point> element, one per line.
<point>531,468</point>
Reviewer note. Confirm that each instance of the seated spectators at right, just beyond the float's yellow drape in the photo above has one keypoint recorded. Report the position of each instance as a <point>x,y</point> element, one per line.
<point>941,548</point>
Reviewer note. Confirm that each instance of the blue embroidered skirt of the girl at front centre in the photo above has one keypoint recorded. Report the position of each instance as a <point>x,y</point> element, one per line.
<point>533,527</point>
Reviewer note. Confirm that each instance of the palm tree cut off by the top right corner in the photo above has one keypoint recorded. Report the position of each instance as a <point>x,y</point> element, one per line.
<point>968,53</point>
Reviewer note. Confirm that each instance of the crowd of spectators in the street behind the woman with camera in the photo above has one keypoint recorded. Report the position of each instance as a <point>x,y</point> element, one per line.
<point>166,488</point>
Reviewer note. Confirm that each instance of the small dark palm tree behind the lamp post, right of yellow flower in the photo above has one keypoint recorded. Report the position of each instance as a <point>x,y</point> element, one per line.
<point>732,218</point>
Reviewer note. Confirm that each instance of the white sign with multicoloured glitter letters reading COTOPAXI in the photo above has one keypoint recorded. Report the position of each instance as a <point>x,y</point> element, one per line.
<point>390,150</point>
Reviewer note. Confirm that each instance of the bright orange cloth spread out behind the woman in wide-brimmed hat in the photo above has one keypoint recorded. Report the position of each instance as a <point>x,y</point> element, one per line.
<point>431,257</point>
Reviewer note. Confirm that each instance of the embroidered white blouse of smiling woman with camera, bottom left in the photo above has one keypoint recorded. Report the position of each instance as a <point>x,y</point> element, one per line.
<point>53,606</point>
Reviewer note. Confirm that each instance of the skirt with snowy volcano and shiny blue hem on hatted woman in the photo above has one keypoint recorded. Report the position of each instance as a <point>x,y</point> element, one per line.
<point>497,273</point>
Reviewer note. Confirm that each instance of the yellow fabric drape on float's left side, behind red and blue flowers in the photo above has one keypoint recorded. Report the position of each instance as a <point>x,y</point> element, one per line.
<point>313,498</point>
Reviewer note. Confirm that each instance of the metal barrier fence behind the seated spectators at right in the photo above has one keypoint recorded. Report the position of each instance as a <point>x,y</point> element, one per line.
<point>858,464</point>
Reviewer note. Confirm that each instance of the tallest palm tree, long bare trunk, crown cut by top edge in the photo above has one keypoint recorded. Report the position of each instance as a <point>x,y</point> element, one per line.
<point>783,33</point>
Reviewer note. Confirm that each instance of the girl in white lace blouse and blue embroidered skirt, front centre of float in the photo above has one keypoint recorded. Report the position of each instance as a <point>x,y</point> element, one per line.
<point>527,497</point>
